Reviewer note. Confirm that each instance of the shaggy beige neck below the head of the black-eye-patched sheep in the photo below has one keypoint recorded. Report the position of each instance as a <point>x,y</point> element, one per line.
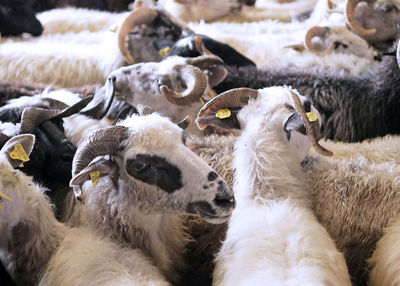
<point>160,236</point>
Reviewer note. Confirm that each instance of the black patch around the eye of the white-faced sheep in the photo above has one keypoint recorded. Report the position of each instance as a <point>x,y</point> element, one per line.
<point>155,170</point>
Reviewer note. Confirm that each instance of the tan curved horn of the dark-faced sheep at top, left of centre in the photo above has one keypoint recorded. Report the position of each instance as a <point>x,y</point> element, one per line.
<point>139,16</point>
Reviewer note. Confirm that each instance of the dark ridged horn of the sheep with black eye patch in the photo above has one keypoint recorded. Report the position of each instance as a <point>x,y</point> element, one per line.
<point>102,142</point>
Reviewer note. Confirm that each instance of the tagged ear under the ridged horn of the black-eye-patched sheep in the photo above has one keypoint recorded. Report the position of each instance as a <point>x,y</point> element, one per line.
<point>99,167</point>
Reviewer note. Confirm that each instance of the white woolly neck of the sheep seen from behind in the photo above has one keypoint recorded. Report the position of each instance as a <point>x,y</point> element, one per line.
<point>265,166</point>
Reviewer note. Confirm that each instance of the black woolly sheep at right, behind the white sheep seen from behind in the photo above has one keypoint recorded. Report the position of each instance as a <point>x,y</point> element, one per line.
<point>352,108</point>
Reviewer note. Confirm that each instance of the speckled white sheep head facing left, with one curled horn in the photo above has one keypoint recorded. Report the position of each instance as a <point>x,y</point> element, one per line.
<point>140,84</point>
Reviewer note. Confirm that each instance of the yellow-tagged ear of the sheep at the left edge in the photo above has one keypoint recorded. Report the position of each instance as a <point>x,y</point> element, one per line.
<point>18,149</point>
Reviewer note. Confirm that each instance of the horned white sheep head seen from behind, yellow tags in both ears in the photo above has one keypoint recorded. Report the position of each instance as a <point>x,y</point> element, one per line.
<point>276,108</point>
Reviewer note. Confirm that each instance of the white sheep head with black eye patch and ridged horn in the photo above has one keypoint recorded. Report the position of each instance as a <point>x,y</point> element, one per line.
<point>145,164</point>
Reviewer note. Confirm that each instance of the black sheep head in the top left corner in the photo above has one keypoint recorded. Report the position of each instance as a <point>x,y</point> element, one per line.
<point>17,17</point>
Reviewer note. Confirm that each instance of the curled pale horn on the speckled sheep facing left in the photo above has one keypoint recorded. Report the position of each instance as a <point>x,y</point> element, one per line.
<point>196,81</point>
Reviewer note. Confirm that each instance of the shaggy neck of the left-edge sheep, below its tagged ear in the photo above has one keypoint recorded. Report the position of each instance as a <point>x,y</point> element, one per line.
<point>35,235</point>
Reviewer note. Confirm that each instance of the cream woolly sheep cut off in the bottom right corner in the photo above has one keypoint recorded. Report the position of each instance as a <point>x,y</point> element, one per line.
<point>384,262</point>
